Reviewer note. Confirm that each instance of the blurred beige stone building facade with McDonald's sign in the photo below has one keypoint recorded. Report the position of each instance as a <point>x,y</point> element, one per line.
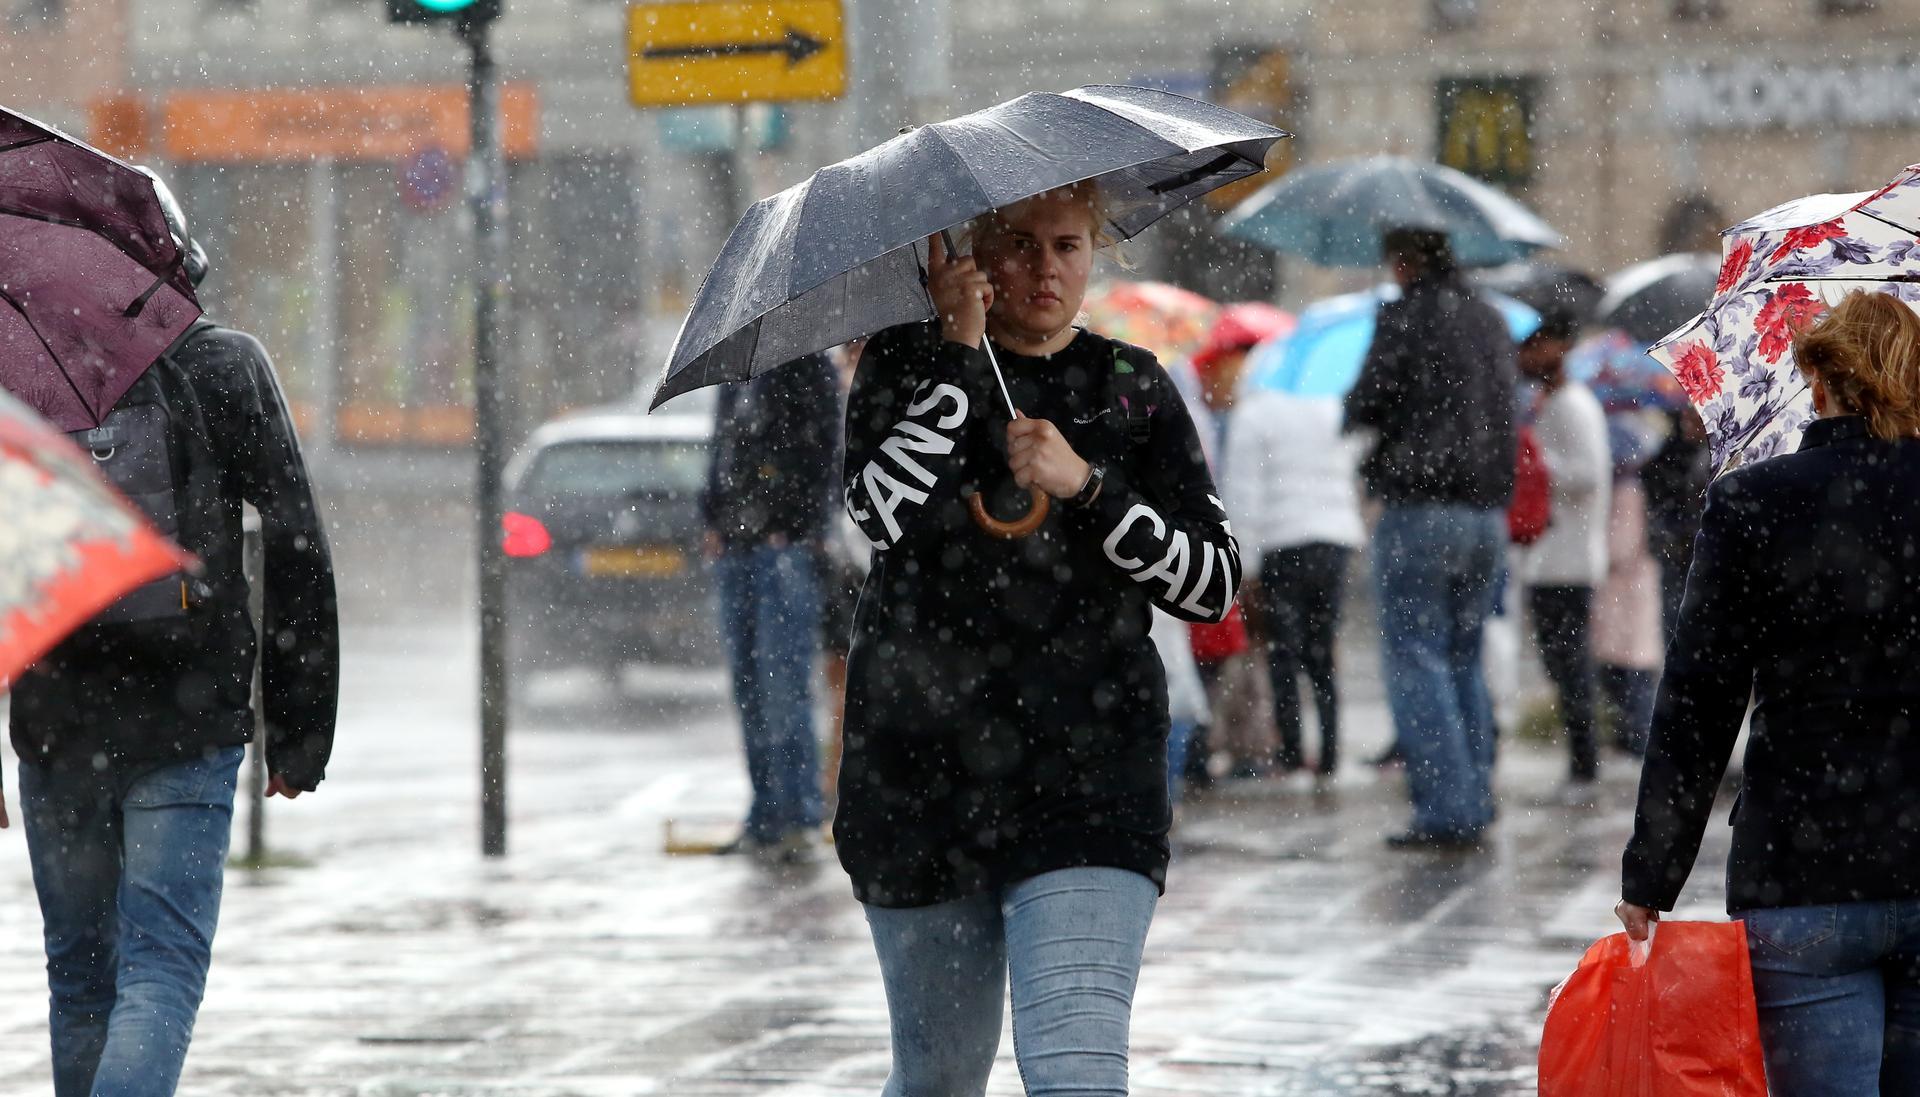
<point>1633,126</point>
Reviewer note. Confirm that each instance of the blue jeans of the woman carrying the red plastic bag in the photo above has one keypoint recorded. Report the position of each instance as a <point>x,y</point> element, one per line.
<point>1840,998</point>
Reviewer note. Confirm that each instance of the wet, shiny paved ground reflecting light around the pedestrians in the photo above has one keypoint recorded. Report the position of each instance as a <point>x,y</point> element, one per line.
<point>1293,956</point>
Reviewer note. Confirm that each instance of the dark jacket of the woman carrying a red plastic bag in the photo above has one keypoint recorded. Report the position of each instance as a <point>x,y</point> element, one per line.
<point>1804,597</point>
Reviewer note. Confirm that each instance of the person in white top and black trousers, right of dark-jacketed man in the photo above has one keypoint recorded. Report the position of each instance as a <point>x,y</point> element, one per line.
<point>1564,568</point>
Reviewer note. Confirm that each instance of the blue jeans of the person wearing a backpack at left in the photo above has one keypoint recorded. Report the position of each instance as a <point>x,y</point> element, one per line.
<point>128,865</point>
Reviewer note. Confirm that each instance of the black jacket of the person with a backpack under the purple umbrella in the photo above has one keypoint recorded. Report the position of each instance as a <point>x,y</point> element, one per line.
<point>172,689</point>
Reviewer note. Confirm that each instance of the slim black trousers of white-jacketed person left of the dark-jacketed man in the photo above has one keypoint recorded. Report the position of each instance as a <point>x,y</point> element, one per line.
<point>1301,591</point>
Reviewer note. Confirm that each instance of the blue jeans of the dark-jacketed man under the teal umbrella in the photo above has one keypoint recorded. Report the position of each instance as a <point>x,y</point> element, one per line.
<point>1437,570</point>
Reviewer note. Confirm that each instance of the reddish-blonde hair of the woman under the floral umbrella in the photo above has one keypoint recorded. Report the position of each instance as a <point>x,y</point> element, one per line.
<point>1867,354</point>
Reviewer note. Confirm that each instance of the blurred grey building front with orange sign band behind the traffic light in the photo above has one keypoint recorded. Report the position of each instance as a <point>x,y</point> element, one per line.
<point>322,157</point>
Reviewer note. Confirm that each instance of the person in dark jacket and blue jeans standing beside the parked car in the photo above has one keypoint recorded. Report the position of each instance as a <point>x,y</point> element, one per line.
<point>767,504</point>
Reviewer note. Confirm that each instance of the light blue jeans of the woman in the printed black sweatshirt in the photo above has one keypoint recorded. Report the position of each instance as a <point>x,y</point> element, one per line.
<point>1072,942</point>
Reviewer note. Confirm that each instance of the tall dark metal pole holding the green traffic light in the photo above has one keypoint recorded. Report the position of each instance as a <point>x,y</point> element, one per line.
<point>487,183</point>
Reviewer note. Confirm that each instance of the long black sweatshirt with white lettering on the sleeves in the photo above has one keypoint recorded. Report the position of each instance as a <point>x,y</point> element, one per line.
<point>1007,712</point>
